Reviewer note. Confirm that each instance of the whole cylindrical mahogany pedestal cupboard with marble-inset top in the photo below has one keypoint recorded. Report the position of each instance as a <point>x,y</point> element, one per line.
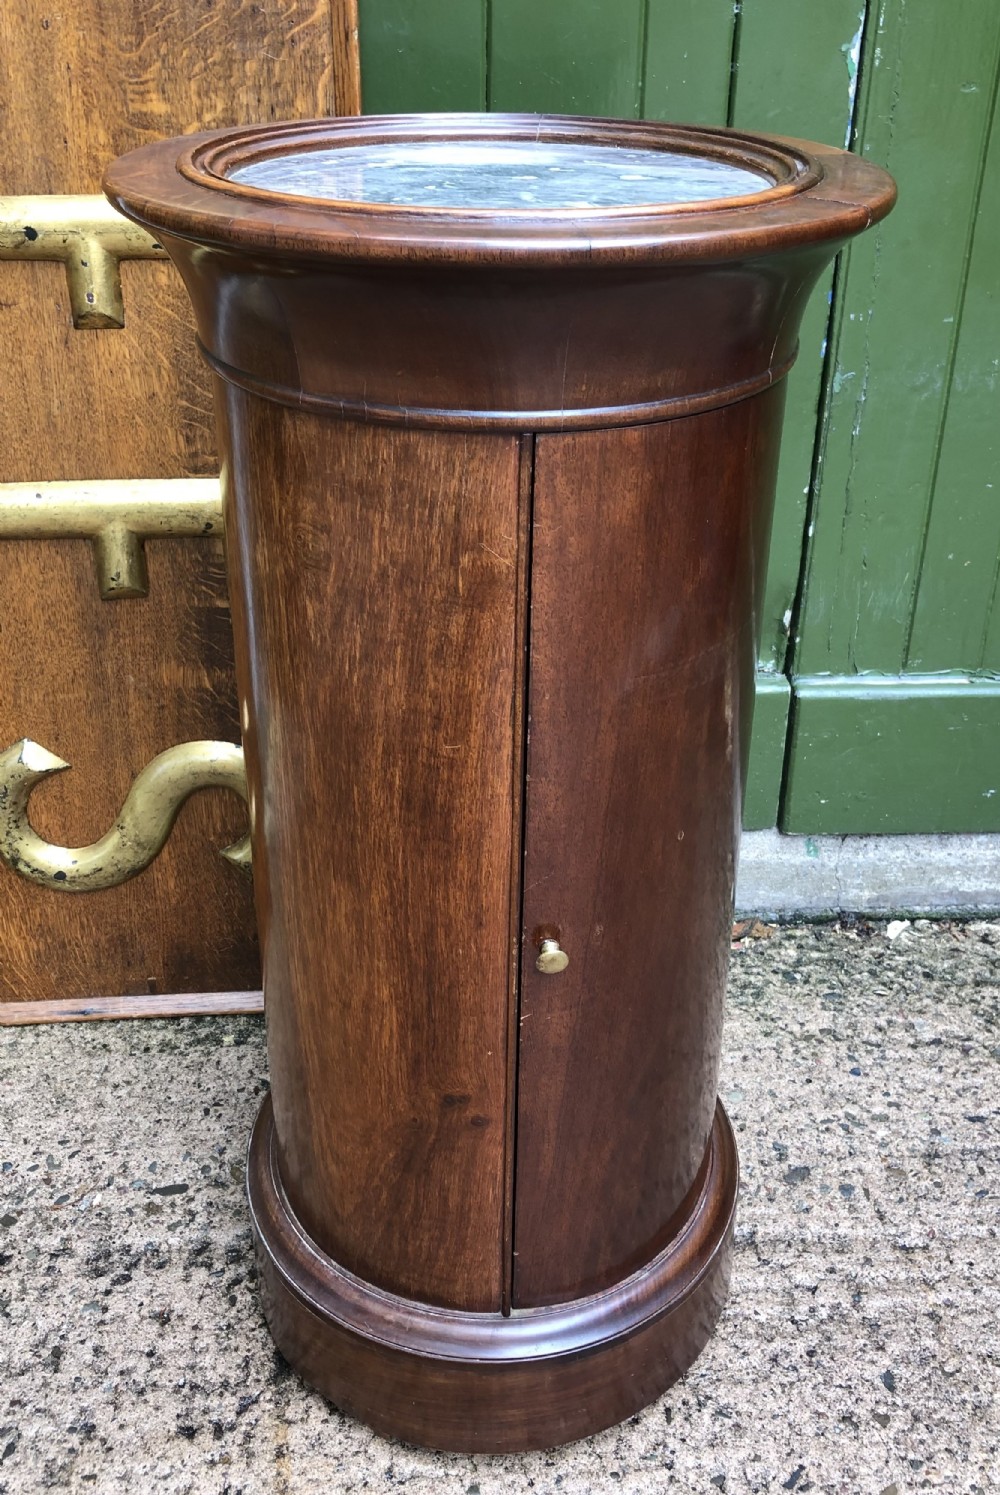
<point>500,403</point>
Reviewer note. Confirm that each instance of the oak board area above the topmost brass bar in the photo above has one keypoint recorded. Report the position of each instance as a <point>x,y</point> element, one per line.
<point>84,83</point>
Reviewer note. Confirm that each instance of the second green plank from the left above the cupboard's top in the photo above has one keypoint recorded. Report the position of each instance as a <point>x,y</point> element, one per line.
<point>567,56</point>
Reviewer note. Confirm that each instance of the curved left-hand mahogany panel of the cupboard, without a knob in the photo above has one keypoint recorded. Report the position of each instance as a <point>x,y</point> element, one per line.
<point>374,581</point>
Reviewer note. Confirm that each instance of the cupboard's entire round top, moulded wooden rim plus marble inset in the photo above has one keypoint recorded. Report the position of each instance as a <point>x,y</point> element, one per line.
<point>527,188</point>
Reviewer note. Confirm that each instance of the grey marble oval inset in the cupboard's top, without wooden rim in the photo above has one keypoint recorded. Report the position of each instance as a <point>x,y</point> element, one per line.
<point>501,176</point>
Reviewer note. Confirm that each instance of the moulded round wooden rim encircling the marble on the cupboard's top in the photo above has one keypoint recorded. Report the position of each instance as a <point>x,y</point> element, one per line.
<point>811,194</point>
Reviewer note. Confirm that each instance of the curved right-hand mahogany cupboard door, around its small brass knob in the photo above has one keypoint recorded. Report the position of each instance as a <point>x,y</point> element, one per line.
<point>648,548</point>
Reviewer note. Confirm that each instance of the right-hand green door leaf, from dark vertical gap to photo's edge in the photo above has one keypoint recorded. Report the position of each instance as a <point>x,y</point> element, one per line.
<point>896,705</point>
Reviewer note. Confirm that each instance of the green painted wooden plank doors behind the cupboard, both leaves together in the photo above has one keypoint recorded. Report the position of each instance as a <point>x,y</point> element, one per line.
<point>880,676</point>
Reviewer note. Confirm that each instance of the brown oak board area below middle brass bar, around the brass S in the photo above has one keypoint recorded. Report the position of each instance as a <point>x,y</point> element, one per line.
<point>107,687</point>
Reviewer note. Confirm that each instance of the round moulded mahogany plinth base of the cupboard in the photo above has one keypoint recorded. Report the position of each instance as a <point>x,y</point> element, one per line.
<point>479,1382</point>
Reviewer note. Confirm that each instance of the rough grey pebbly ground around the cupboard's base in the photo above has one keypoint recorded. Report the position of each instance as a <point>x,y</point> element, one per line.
<point>859,1351</point>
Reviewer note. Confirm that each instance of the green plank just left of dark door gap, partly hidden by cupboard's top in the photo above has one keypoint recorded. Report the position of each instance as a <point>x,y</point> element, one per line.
<point>797,70</point>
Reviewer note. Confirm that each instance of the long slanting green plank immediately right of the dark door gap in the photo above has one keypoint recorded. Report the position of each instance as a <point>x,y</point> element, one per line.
<point>926,117</point>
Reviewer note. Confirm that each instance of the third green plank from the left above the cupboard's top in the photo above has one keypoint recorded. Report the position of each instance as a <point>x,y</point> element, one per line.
<point>688,58</point>
